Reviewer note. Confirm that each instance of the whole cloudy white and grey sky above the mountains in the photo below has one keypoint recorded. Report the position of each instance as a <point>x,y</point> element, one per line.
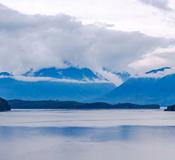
<point>128,35</point>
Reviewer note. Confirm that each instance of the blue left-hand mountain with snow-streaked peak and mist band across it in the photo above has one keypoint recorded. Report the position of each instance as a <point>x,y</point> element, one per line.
<point>71,83</point>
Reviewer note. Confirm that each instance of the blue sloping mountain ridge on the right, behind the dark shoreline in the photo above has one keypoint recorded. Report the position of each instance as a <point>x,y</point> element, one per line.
<point>144,91</point>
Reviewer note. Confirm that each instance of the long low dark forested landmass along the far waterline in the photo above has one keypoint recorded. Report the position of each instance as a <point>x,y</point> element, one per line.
<point>20,104</point>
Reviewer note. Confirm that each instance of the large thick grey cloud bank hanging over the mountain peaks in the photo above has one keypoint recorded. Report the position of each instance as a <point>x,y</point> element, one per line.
<point>36,41</point>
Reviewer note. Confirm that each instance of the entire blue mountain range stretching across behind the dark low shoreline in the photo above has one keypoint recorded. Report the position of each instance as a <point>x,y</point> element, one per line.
<point>85,85</point>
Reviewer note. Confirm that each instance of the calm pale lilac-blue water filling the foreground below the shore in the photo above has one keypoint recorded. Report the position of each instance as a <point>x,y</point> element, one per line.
<point>87,135</point>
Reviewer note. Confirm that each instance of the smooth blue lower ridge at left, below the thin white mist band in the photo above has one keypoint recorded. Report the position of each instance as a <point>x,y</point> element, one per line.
<point>11,88</point>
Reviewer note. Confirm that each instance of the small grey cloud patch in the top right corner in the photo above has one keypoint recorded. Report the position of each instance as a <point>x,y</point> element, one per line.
<point>160,4</point>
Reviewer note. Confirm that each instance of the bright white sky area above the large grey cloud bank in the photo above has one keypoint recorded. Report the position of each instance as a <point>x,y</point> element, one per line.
<point>124,15</point>
